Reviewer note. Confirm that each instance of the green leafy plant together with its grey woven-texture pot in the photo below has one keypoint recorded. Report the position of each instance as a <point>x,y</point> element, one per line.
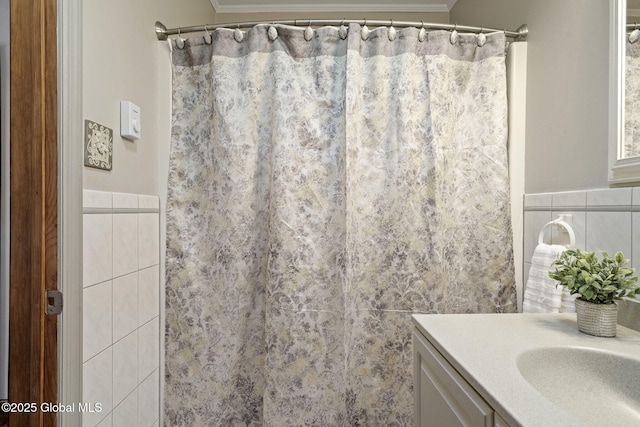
<point>599,283</point>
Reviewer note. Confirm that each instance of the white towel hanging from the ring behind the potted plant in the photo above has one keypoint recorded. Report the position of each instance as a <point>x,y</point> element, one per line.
<point>541,294</point>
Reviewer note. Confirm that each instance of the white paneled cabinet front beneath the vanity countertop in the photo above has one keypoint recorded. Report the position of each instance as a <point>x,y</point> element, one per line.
<point>441,396</point>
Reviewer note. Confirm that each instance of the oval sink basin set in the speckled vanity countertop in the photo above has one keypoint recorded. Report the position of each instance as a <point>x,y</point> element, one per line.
<point>598,387</point>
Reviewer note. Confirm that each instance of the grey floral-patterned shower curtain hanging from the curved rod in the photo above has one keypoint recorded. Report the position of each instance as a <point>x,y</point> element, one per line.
<point>320,192</point>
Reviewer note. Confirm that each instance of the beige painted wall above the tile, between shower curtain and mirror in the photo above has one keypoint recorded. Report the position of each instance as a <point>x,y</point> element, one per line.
<point>567,92</point>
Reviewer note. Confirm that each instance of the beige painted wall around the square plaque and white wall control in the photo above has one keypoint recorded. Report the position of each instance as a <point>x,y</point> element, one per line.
<point>123,60</point>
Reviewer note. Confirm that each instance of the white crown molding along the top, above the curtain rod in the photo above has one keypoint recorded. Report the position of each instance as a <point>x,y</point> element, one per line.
<point>424,7</point>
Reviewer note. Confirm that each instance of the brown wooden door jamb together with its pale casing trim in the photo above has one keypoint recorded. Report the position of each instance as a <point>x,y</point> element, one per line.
<point>48,155</point>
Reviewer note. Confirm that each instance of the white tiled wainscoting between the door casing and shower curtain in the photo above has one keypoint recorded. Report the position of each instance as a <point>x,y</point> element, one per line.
<point>121,293</point>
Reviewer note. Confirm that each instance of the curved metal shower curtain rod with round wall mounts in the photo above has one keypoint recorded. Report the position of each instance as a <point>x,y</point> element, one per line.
<point>163,32</point>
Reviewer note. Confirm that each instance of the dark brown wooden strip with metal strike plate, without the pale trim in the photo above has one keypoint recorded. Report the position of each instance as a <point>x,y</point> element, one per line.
<point>33,362</point>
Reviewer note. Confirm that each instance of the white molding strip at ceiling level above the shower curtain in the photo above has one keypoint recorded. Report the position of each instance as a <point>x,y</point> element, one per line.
<point>240,6</point>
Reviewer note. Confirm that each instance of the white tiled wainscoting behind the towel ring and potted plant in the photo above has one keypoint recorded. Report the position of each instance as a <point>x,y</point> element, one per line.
<point>602,220</point>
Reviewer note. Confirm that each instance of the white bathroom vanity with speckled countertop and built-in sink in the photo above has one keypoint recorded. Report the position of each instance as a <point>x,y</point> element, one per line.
<point>476,370</point>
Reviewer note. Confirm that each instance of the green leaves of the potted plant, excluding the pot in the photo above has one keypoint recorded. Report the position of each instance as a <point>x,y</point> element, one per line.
<point>599,282</point>
